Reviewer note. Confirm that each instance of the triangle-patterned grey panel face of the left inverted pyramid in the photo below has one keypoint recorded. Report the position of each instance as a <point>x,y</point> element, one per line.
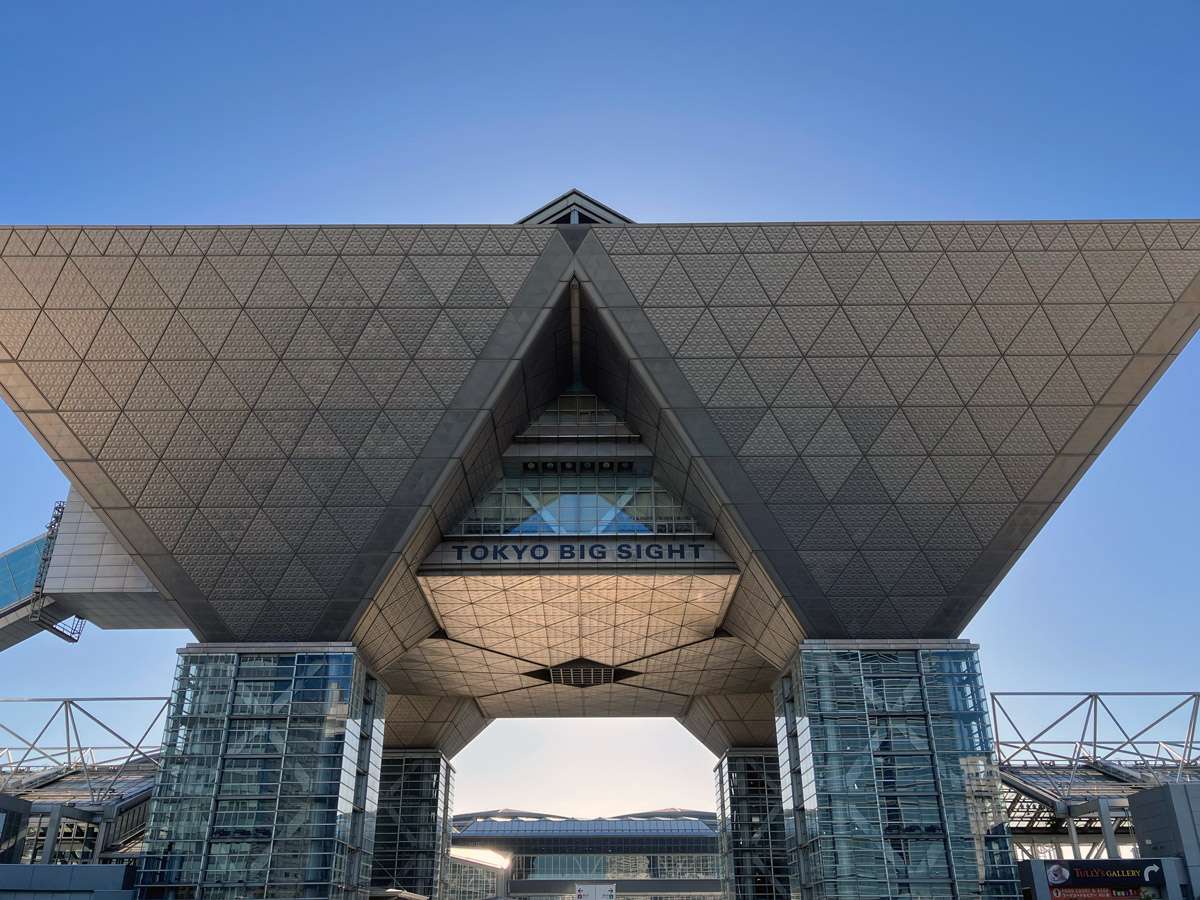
<point>244,407</point>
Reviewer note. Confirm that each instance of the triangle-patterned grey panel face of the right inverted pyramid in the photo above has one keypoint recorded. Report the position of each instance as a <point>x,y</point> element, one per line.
<point>907,404</point>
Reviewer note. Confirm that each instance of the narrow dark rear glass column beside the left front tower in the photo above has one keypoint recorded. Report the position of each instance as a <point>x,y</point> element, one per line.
<point>413,831</point>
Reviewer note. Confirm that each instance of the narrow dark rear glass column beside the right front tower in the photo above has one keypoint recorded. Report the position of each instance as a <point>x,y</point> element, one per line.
<point>752,825</point>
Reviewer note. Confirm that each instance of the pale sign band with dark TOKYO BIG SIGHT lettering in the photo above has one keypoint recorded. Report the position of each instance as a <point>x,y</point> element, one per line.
<point>530,553</point>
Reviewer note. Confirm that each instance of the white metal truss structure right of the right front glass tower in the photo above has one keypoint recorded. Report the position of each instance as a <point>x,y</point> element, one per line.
<point>1069,779</point>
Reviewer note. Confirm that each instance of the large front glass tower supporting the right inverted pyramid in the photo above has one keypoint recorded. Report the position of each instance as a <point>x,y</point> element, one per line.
<point>890,785</point>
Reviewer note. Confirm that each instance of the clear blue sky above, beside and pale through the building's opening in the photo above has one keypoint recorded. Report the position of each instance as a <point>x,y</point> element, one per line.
<point>272,112</point>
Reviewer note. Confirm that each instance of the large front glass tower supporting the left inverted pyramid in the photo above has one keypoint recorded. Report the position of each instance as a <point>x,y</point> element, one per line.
<point>269,778</point>
